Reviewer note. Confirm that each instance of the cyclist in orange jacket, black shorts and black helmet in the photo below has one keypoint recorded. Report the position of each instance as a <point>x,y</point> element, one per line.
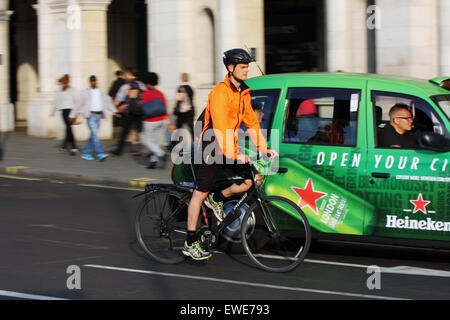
<point>229,105</point>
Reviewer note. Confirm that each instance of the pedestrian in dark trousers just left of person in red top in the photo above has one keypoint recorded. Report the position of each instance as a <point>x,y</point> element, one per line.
<point>130,121</point>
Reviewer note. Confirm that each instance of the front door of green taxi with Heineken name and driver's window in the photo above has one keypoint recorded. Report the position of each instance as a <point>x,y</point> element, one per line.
<point>408,187</point>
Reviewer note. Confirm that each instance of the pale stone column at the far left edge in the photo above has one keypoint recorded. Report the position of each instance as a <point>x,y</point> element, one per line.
<point>6,108</point>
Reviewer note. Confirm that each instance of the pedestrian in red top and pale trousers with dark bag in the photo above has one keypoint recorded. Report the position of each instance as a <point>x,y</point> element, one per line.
<point>154,117</point>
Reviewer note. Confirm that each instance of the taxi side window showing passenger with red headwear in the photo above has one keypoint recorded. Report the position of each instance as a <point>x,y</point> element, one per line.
<point>321,116</point>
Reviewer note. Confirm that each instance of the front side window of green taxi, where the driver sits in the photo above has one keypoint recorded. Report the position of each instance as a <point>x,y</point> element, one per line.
<point>424,117</point>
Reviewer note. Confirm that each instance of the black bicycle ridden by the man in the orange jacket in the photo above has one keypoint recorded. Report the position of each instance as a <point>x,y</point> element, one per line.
<point>274,231</point>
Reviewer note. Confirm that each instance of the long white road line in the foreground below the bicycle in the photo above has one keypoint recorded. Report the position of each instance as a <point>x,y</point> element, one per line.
<point>242,283</point>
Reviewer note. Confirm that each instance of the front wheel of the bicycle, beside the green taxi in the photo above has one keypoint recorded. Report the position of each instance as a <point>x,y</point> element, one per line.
<point>288,234</point>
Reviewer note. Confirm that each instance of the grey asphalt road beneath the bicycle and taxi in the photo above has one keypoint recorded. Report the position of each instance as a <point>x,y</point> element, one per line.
<point>70,241</point>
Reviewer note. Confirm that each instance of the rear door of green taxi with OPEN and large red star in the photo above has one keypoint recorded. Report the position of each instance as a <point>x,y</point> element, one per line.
<point>321,145</point>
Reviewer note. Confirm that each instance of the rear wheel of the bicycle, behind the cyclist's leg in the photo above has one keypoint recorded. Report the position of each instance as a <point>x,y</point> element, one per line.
<point>161,225</point>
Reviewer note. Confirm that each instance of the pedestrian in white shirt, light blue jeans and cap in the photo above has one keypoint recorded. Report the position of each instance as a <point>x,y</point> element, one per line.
<point>93,103</point>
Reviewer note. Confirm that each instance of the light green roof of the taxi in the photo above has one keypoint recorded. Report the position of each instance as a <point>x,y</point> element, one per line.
<point>398,84</point>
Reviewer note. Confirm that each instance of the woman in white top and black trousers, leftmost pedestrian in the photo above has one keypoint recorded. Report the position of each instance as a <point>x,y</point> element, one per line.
<point>65,101</point>
